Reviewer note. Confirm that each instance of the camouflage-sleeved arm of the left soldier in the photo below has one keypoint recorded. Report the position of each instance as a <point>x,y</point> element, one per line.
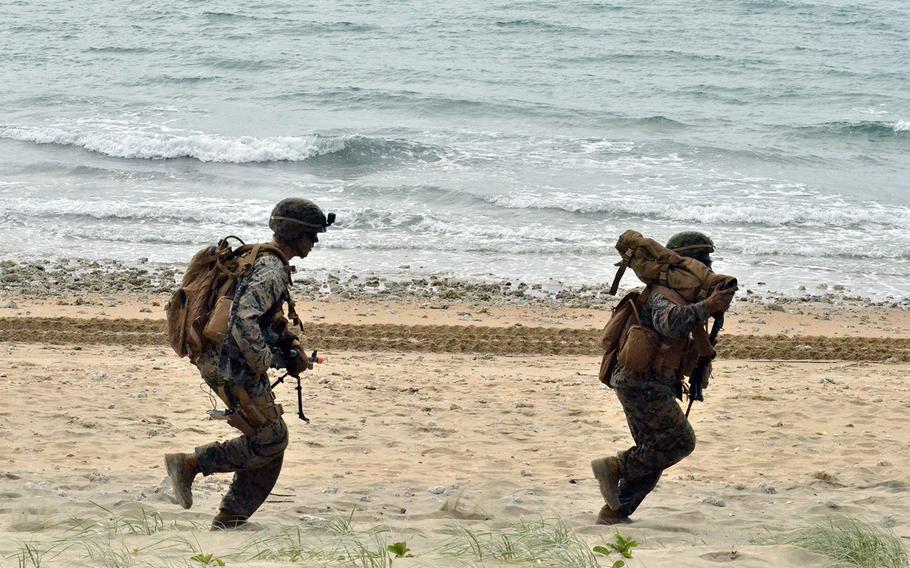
<point>266,286</point>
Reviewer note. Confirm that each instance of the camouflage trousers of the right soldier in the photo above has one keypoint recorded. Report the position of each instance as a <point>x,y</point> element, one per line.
<point>662,434</point>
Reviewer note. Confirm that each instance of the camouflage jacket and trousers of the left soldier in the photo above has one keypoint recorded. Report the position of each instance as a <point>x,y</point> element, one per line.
<point>255,460</point>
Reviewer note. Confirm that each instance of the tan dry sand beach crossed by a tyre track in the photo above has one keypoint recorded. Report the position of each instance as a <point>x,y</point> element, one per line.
<point>420,438</point>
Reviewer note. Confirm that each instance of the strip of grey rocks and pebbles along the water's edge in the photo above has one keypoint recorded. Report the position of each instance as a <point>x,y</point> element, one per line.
<point>75,280</point>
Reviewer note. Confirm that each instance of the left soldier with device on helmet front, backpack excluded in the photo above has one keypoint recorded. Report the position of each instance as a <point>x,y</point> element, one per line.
<point>256,341</point>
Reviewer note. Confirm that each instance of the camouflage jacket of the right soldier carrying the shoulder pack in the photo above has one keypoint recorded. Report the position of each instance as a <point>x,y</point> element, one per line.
<point>669,320</point>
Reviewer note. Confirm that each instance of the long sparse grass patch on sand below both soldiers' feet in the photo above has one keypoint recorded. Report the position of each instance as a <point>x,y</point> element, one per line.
<point>145,540</point>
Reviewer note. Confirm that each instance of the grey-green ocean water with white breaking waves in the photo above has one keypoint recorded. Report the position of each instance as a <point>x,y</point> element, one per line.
<point>477,139</point>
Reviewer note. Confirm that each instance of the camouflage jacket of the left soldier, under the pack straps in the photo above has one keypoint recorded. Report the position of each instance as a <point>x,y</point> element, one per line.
<point>248,350</point>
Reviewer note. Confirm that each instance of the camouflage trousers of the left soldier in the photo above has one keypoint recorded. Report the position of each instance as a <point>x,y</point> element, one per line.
<point>255,460</point>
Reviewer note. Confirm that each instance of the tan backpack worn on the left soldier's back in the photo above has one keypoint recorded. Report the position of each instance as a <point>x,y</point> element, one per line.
<point>198,312</point>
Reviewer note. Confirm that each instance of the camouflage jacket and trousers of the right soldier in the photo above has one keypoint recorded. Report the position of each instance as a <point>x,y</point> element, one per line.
<point>662,434</point>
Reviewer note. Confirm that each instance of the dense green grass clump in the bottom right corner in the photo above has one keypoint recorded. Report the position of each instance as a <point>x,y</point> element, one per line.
<point>851,542</point>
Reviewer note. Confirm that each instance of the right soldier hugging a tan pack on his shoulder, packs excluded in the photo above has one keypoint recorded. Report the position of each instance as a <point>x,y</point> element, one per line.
<point>660,429</point>
